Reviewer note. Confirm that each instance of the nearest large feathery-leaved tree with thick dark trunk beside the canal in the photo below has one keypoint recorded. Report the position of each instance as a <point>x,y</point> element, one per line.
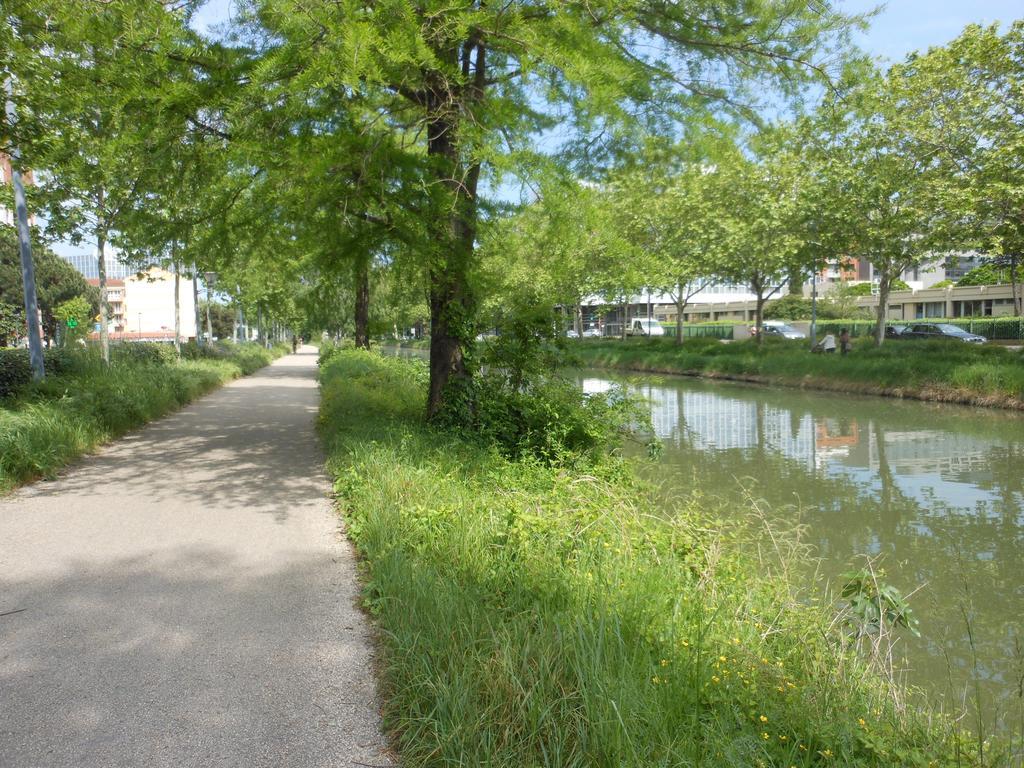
<point>482,81</point>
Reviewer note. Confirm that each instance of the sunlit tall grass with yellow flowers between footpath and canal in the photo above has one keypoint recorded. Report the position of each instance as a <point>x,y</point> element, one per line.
<point>538,615</point>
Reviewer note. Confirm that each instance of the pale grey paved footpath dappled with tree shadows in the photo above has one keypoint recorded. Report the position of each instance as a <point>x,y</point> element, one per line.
<point>185,599</point>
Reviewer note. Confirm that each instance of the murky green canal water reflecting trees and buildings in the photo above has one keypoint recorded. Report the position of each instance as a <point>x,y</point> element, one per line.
<point>935,493</point>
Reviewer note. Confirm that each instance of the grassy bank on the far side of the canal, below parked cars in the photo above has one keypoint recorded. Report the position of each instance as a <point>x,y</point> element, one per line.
<point>950,372</point>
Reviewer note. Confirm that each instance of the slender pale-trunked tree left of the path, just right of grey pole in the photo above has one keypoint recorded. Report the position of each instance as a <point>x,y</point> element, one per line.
<point>98,97</point>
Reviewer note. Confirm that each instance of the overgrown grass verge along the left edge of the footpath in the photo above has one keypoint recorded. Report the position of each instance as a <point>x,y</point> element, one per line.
<point>82,404</point>
